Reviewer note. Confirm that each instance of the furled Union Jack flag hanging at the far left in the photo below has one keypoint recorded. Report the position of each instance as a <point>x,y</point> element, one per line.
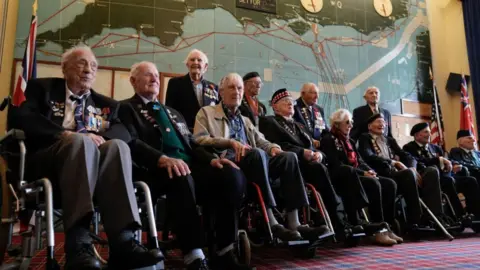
<point>29,64</point>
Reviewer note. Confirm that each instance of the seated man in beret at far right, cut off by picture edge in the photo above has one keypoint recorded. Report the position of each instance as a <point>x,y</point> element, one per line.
<point>466,155</point>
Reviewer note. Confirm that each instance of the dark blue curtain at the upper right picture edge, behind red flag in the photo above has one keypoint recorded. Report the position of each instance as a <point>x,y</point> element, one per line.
<point>471,16</point>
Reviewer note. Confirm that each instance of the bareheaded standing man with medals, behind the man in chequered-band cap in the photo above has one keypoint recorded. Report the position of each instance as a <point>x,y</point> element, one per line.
<point>309,114</point>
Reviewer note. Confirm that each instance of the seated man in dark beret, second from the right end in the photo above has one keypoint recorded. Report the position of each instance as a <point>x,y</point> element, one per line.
<point>428,154</point>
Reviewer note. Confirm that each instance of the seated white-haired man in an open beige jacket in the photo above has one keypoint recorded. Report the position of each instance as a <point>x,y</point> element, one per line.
<point>238,140</point>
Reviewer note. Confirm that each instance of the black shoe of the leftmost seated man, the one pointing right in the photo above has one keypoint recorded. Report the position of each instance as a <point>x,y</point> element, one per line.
<point>132,254</point>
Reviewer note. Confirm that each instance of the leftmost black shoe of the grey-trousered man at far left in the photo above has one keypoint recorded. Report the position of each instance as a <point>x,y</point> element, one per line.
<point>82,258</point>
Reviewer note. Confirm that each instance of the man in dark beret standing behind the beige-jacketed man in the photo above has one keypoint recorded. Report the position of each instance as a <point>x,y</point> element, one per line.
<point>251,107</point>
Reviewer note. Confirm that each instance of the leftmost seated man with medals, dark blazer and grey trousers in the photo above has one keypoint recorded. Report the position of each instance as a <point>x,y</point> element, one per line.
<point>75,139</point>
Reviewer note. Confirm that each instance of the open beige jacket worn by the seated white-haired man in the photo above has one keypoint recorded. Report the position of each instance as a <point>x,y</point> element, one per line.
<point>211,129</point>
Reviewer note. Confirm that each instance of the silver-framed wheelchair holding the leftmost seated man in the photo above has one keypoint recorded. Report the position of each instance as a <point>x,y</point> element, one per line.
<point>21,197</point>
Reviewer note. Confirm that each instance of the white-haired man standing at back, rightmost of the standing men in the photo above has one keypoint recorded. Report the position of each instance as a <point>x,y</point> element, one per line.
<point>362,113</point>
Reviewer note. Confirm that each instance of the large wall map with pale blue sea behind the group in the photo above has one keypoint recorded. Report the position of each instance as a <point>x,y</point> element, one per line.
<point>344,48</point>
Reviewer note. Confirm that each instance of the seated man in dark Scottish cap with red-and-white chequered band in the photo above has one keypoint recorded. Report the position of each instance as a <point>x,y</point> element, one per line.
<point>292,136</point>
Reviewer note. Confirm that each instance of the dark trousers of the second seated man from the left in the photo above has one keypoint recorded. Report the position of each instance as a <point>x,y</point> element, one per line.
<point>181,207</point>
